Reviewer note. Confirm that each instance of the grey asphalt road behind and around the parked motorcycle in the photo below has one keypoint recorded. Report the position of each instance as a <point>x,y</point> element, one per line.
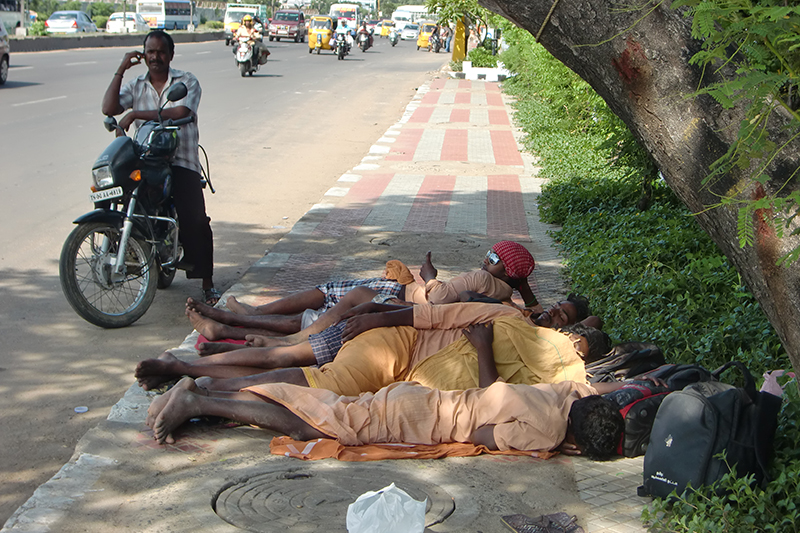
<point>276,143</point>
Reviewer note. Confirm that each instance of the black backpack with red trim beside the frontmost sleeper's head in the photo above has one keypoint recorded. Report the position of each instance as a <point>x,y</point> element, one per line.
<point>639,401</point>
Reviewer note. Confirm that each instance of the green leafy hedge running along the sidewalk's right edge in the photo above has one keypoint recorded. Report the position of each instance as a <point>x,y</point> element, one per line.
<point>649,270</point>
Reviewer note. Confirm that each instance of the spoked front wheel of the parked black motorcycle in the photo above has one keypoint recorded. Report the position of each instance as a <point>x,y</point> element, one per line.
<point>85,271</point>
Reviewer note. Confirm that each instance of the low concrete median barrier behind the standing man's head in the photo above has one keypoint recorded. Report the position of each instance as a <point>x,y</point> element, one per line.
<point>102,40</point>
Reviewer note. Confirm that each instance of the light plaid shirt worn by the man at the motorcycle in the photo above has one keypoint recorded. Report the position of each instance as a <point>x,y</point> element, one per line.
<point>140,95</point>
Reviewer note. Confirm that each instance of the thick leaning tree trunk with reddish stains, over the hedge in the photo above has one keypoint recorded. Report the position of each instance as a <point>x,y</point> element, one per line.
<point>641,69</point>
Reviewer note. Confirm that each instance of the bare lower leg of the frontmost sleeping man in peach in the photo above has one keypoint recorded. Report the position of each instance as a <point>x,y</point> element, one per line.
<point>184,403</point>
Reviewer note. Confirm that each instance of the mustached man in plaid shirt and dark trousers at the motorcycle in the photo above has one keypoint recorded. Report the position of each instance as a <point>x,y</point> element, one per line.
<point>143,96</point>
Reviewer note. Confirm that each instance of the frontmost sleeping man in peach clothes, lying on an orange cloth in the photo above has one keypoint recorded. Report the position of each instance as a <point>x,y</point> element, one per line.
<point>498,415</point>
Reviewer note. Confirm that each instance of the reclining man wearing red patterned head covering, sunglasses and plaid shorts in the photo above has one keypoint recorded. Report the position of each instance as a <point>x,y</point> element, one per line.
<point>506,267</point>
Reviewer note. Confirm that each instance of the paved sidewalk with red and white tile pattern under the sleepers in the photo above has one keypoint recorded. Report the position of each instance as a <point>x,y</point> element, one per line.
<point>448,177</point>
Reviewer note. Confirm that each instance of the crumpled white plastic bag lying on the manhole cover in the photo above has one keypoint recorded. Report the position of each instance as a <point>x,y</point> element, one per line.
<point>390,510</point>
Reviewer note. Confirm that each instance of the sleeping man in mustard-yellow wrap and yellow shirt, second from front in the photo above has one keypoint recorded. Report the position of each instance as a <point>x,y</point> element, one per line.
<point>421,343</point>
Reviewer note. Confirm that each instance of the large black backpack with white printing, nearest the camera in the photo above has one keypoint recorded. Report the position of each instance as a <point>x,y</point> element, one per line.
<point>696,424</point>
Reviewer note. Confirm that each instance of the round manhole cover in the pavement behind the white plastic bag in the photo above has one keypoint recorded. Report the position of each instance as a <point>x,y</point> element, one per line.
<point>309,500</point>
